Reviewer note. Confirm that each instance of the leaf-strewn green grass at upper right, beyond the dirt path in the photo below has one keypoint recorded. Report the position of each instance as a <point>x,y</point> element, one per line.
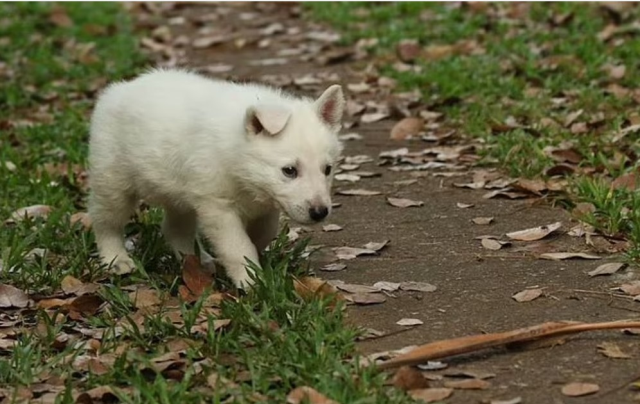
<point>513,78</point>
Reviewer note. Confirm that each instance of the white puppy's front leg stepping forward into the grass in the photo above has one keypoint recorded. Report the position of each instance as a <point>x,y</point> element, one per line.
<point>231,243</point>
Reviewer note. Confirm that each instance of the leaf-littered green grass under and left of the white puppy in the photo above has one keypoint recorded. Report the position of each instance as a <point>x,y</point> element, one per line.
<point>275,340</point>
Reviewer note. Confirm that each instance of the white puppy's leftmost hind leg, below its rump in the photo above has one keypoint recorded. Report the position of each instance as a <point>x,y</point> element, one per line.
<point>109,213</point>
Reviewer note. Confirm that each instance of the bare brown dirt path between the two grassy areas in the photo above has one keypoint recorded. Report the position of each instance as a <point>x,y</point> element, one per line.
<point>435,243</point>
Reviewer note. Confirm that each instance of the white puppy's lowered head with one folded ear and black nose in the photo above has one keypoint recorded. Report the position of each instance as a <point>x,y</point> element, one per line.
<point>292,152</point>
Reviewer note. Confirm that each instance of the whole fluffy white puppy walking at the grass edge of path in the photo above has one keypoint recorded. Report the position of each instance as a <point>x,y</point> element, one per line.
<point>211,153</point>
